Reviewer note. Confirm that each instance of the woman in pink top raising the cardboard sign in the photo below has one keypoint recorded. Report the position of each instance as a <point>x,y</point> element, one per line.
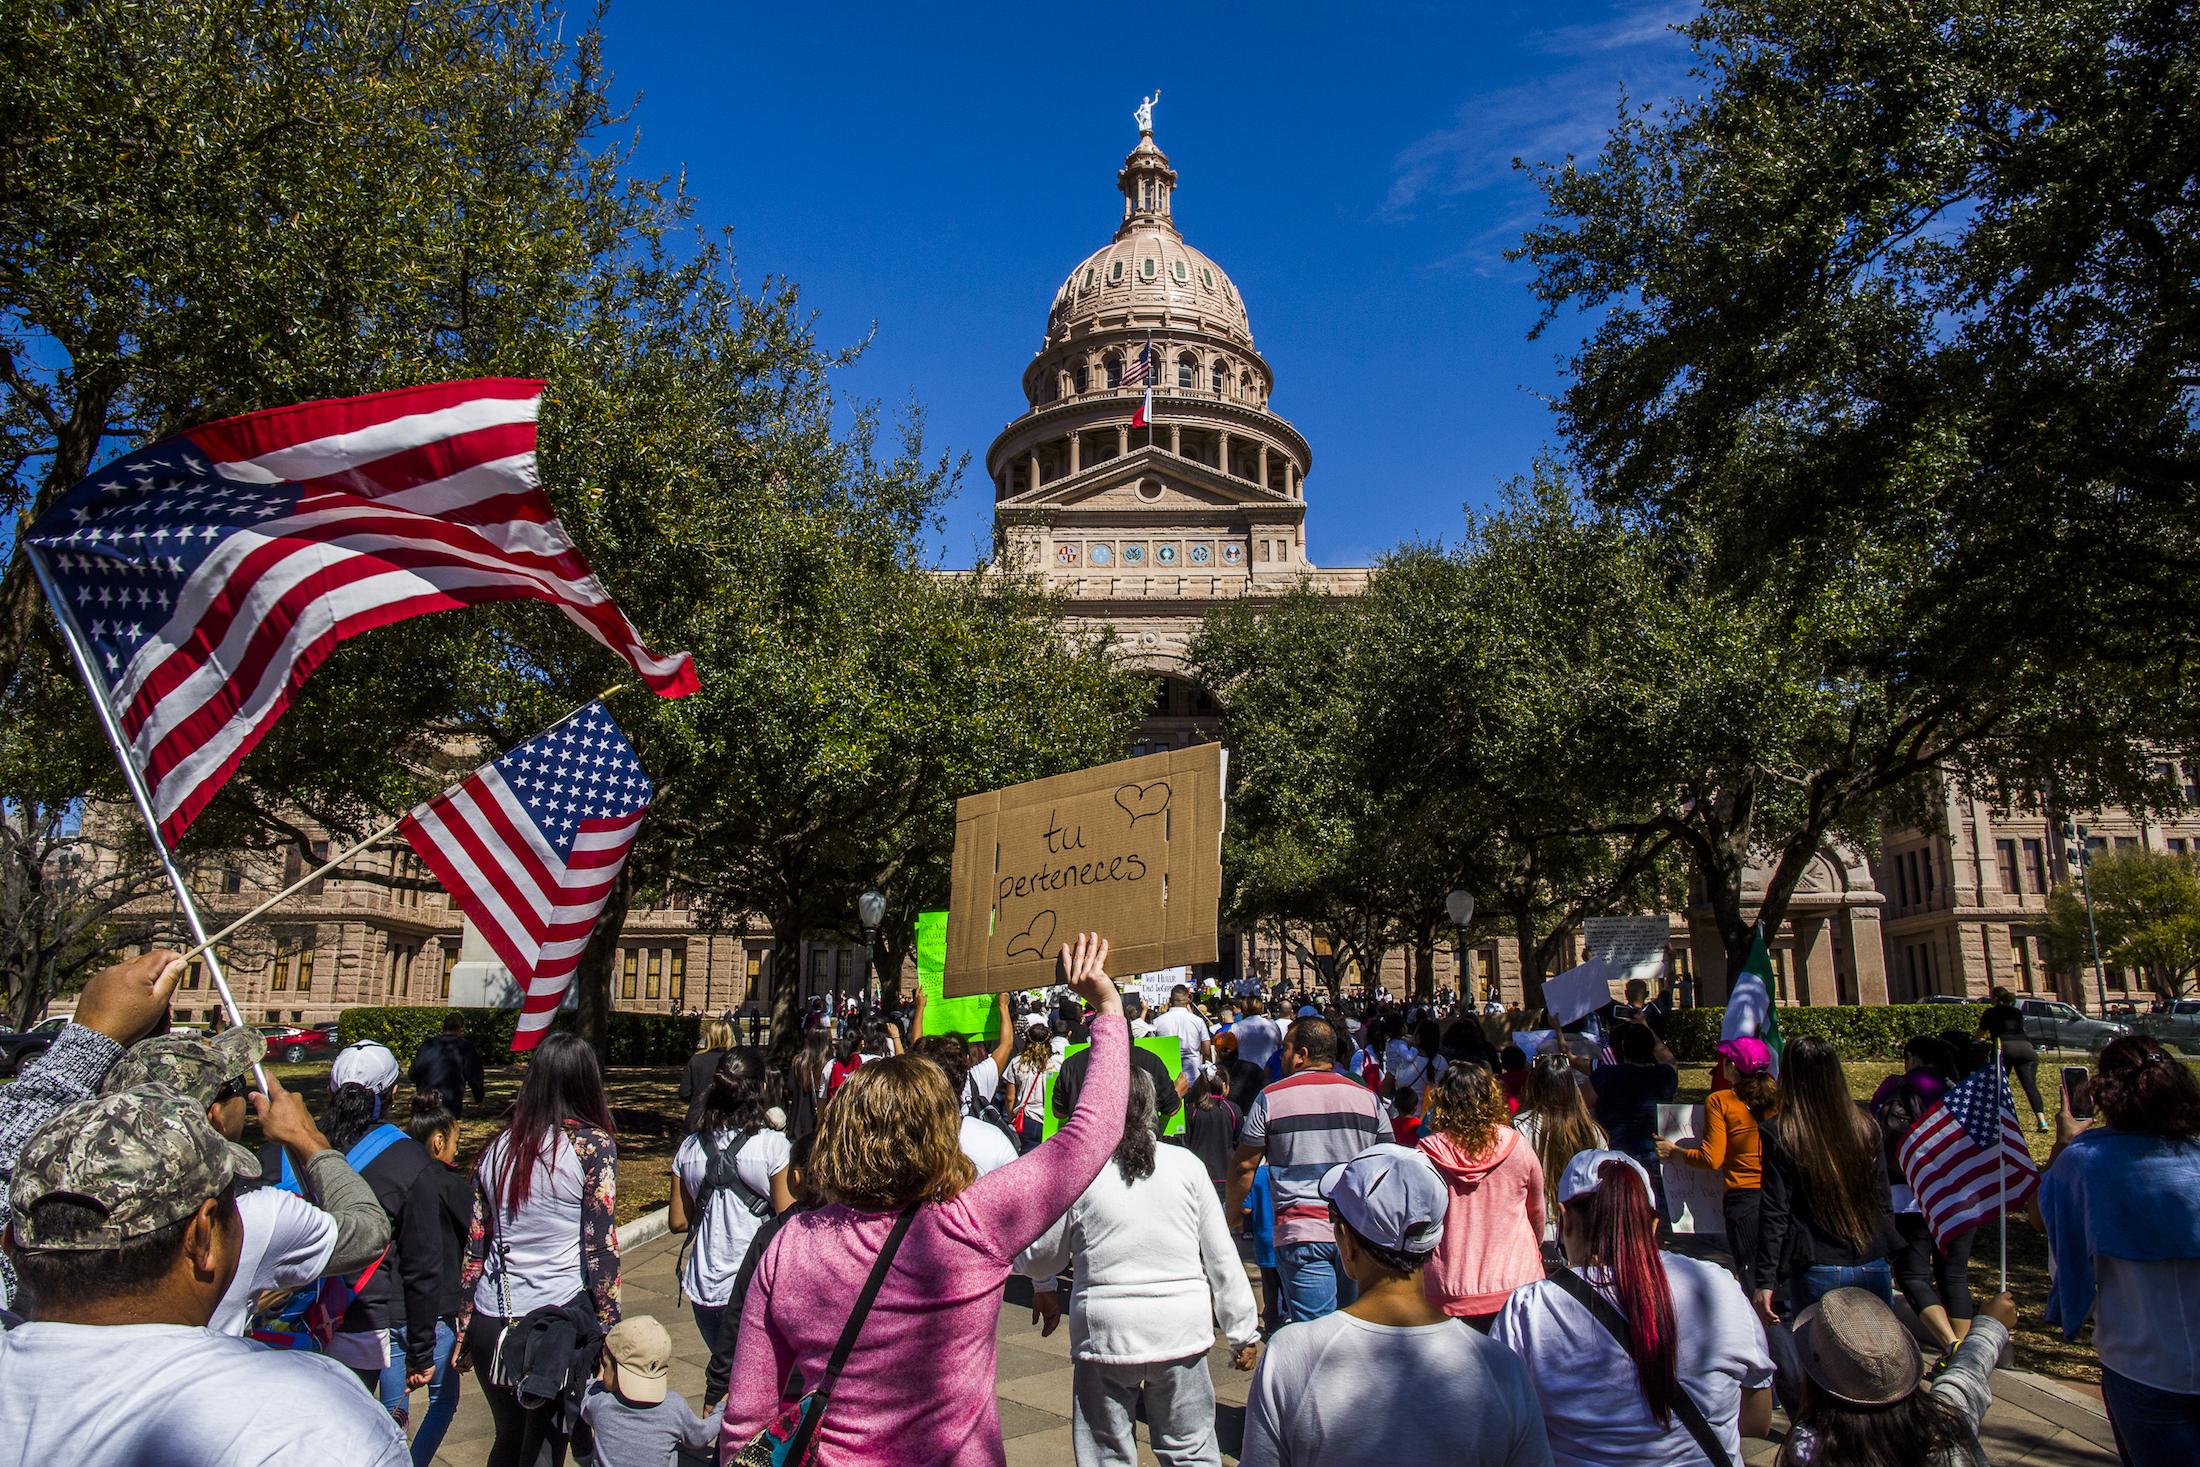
<point>918,1385</point>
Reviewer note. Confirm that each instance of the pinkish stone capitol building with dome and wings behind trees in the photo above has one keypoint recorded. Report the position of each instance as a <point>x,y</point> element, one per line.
<point>1147,522</point>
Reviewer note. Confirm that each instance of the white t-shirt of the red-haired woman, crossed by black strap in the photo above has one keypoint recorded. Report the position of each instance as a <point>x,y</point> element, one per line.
<point>1592,1404</point>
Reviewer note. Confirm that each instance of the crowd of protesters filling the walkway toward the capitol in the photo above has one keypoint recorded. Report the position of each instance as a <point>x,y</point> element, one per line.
<point>1460,1222</point>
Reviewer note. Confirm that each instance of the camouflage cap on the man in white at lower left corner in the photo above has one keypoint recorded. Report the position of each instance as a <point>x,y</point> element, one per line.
<point>140,1160</point>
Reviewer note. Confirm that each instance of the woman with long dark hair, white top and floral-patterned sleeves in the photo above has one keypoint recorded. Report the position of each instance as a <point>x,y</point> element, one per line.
<point>544,1237</point>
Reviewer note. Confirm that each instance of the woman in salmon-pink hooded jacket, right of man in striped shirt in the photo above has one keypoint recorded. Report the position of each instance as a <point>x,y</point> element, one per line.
<point>1493,1231</point>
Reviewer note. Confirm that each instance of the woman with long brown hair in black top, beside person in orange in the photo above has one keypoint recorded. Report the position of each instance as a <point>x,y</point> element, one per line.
<point>1827,1217</point>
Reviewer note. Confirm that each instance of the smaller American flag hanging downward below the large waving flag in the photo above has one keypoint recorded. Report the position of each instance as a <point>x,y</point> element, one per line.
<point>531,846</point>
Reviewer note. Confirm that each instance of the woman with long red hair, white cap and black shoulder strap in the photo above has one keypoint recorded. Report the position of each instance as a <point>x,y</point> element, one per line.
<point>1629,1314</point>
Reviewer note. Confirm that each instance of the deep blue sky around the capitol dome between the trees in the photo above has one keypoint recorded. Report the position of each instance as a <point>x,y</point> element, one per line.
<point>934,173</point>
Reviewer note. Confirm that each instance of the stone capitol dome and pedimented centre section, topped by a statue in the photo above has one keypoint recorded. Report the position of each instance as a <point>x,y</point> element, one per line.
<point>1147,520</point>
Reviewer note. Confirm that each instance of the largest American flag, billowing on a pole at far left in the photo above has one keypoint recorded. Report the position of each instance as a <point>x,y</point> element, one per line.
<point>210,573</point>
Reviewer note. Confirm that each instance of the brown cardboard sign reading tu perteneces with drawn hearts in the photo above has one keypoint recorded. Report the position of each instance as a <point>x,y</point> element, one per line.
<point>1130,850</point>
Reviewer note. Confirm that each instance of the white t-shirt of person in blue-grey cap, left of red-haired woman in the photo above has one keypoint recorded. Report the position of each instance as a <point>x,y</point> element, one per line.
<point>1394,1396</point>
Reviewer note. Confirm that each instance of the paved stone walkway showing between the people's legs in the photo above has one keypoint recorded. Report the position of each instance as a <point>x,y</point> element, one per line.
<point>2034,1422</point>
